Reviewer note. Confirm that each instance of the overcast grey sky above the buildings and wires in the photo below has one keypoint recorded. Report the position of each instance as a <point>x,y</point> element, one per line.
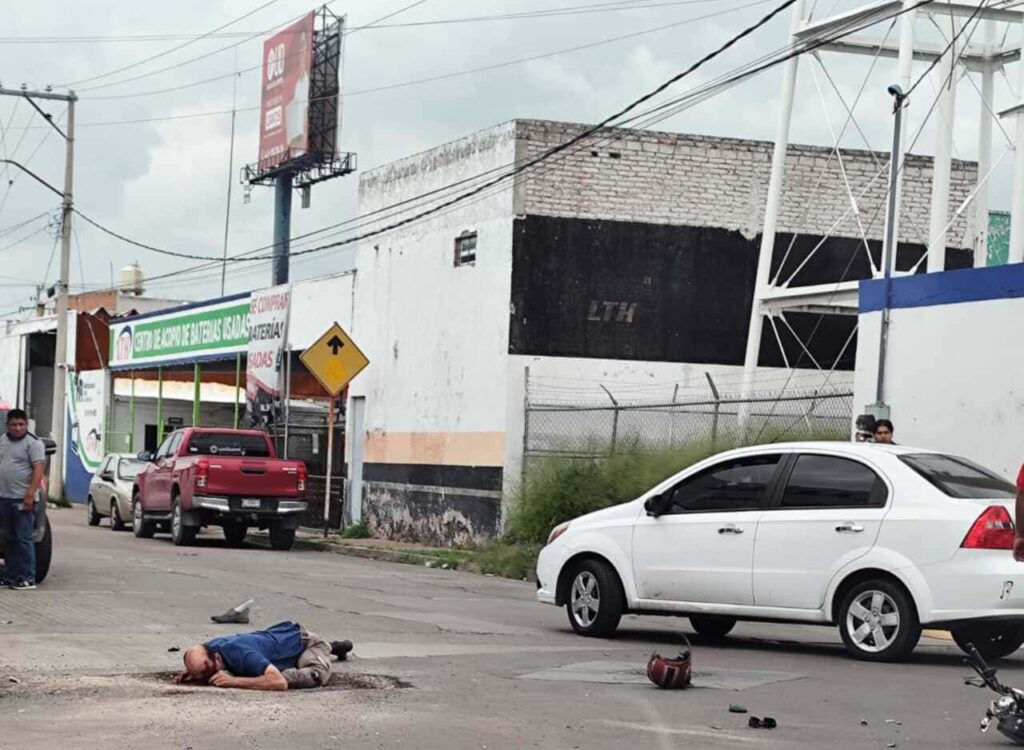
<point>164,182</point>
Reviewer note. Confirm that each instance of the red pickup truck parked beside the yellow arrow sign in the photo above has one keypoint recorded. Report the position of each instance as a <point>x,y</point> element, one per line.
<point>227,478</point>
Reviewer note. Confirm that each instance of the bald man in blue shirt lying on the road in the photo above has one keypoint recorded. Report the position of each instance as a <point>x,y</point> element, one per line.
<point>284,657</point>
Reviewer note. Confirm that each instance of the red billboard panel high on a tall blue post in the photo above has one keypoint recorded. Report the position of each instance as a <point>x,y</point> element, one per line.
<point>288,59</point>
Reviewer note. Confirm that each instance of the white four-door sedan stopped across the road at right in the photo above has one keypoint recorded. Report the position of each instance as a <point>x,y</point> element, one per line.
<point>879,540</point>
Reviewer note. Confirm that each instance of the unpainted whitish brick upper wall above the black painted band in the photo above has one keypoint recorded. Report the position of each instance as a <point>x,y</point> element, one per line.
<point>701,181</point>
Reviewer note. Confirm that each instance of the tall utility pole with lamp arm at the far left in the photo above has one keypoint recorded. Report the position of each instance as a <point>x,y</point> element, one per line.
<point>61,355</point>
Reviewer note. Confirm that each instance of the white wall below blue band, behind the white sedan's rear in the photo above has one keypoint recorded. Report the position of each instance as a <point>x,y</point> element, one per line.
<point>954,376</point>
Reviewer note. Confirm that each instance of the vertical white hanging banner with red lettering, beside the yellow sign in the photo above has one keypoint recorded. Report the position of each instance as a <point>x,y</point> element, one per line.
<point>268,329</point>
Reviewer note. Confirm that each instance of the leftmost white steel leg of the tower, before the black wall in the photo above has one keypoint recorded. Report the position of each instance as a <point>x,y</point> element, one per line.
<point>773,203</point>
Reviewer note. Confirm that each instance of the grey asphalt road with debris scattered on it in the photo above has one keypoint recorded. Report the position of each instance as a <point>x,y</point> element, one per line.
<point>443,660</point>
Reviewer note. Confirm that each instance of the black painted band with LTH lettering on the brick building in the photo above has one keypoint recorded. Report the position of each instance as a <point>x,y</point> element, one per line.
<point>659,293</point>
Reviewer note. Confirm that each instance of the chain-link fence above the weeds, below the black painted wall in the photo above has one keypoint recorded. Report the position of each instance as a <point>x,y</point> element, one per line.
<point>589,431</point>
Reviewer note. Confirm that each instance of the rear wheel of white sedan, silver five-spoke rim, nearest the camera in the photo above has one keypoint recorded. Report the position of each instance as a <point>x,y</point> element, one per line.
<point>879,621</point>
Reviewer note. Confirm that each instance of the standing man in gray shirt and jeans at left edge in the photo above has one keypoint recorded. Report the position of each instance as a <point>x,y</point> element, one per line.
<point>23,459</point>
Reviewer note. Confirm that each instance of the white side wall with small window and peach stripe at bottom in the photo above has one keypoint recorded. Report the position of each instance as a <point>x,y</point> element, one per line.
<point>437,336</point>
